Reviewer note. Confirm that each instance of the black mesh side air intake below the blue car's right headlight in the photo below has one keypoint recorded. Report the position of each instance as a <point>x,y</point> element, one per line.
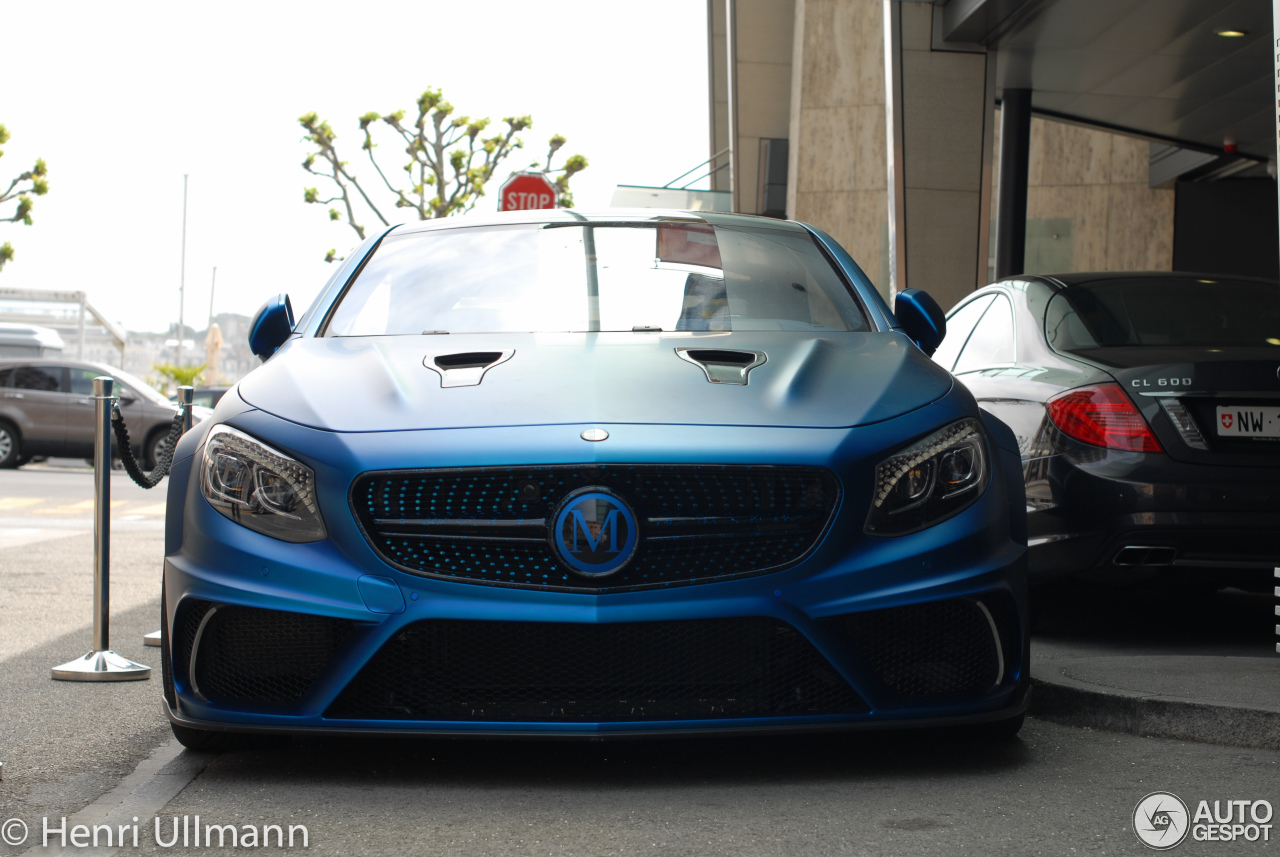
<point>941,649</point>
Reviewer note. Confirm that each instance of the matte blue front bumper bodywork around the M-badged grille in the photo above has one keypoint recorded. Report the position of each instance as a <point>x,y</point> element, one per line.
<point>967,567</point>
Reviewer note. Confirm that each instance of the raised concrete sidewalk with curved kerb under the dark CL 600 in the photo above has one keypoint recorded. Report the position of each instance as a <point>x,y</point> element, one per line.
<point>1145,664</point>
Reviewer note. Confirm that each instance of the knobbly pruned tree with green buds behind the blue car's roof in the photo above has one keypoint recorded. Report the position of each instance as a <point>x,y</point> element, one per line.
<point>450,163</point>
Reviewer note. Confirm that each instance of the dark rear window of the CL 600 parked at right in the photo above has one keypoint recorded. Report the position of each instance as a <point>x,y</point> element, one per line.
<point>1158,311</point>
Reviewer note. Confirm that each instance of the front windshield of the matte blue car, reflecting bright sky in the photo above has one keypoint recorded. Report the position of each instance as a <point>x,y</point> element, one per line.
<point>575,277</point>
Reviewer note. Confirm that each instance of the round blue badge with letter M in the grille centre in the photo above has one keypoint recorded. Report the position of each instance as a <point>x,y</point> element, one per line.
<point>595,533</point>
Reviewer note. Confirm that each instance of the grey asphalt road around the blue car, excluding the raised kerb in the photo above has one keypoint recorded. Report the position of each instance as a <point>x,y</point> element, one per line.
<point>1054,791</point>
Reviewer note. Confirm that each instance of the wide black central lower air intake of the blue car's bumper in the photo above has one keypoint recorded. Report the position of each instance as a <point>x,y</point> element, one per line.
<point>703,670</point>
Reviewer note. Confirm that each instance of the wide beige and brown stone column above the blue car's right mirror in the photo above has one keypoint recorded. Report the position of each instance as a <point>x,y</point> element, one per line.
<point>843,152</point>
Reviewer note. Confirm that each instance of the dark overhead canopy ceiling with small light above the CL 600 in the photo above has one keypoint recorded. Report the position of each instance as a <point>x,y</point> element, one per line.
<point>1158,68</point>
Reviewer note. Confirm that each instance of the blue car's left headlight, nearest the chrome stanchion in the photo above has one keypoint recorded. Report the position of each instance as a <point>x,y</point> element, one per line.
<point>260,488</point>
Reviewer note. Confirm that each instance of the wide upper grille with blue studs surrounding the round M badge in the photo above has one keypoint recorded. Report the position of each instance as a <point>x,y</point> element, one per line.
<point>698,524</point>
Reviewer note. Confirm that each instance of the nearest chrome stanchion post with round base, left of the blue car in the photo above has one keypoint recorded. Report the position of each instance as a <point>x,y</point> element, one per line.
<point>102,664</point>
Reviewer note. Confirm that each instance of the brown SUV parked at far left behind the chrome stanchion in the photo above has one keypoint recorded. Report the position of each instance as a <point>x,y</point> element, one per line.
<point>47,409</point>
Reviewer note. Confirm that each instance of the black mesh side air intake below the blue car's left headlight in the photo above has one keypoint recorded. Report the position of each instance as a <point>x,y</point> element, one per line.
<point>254,656</point>
